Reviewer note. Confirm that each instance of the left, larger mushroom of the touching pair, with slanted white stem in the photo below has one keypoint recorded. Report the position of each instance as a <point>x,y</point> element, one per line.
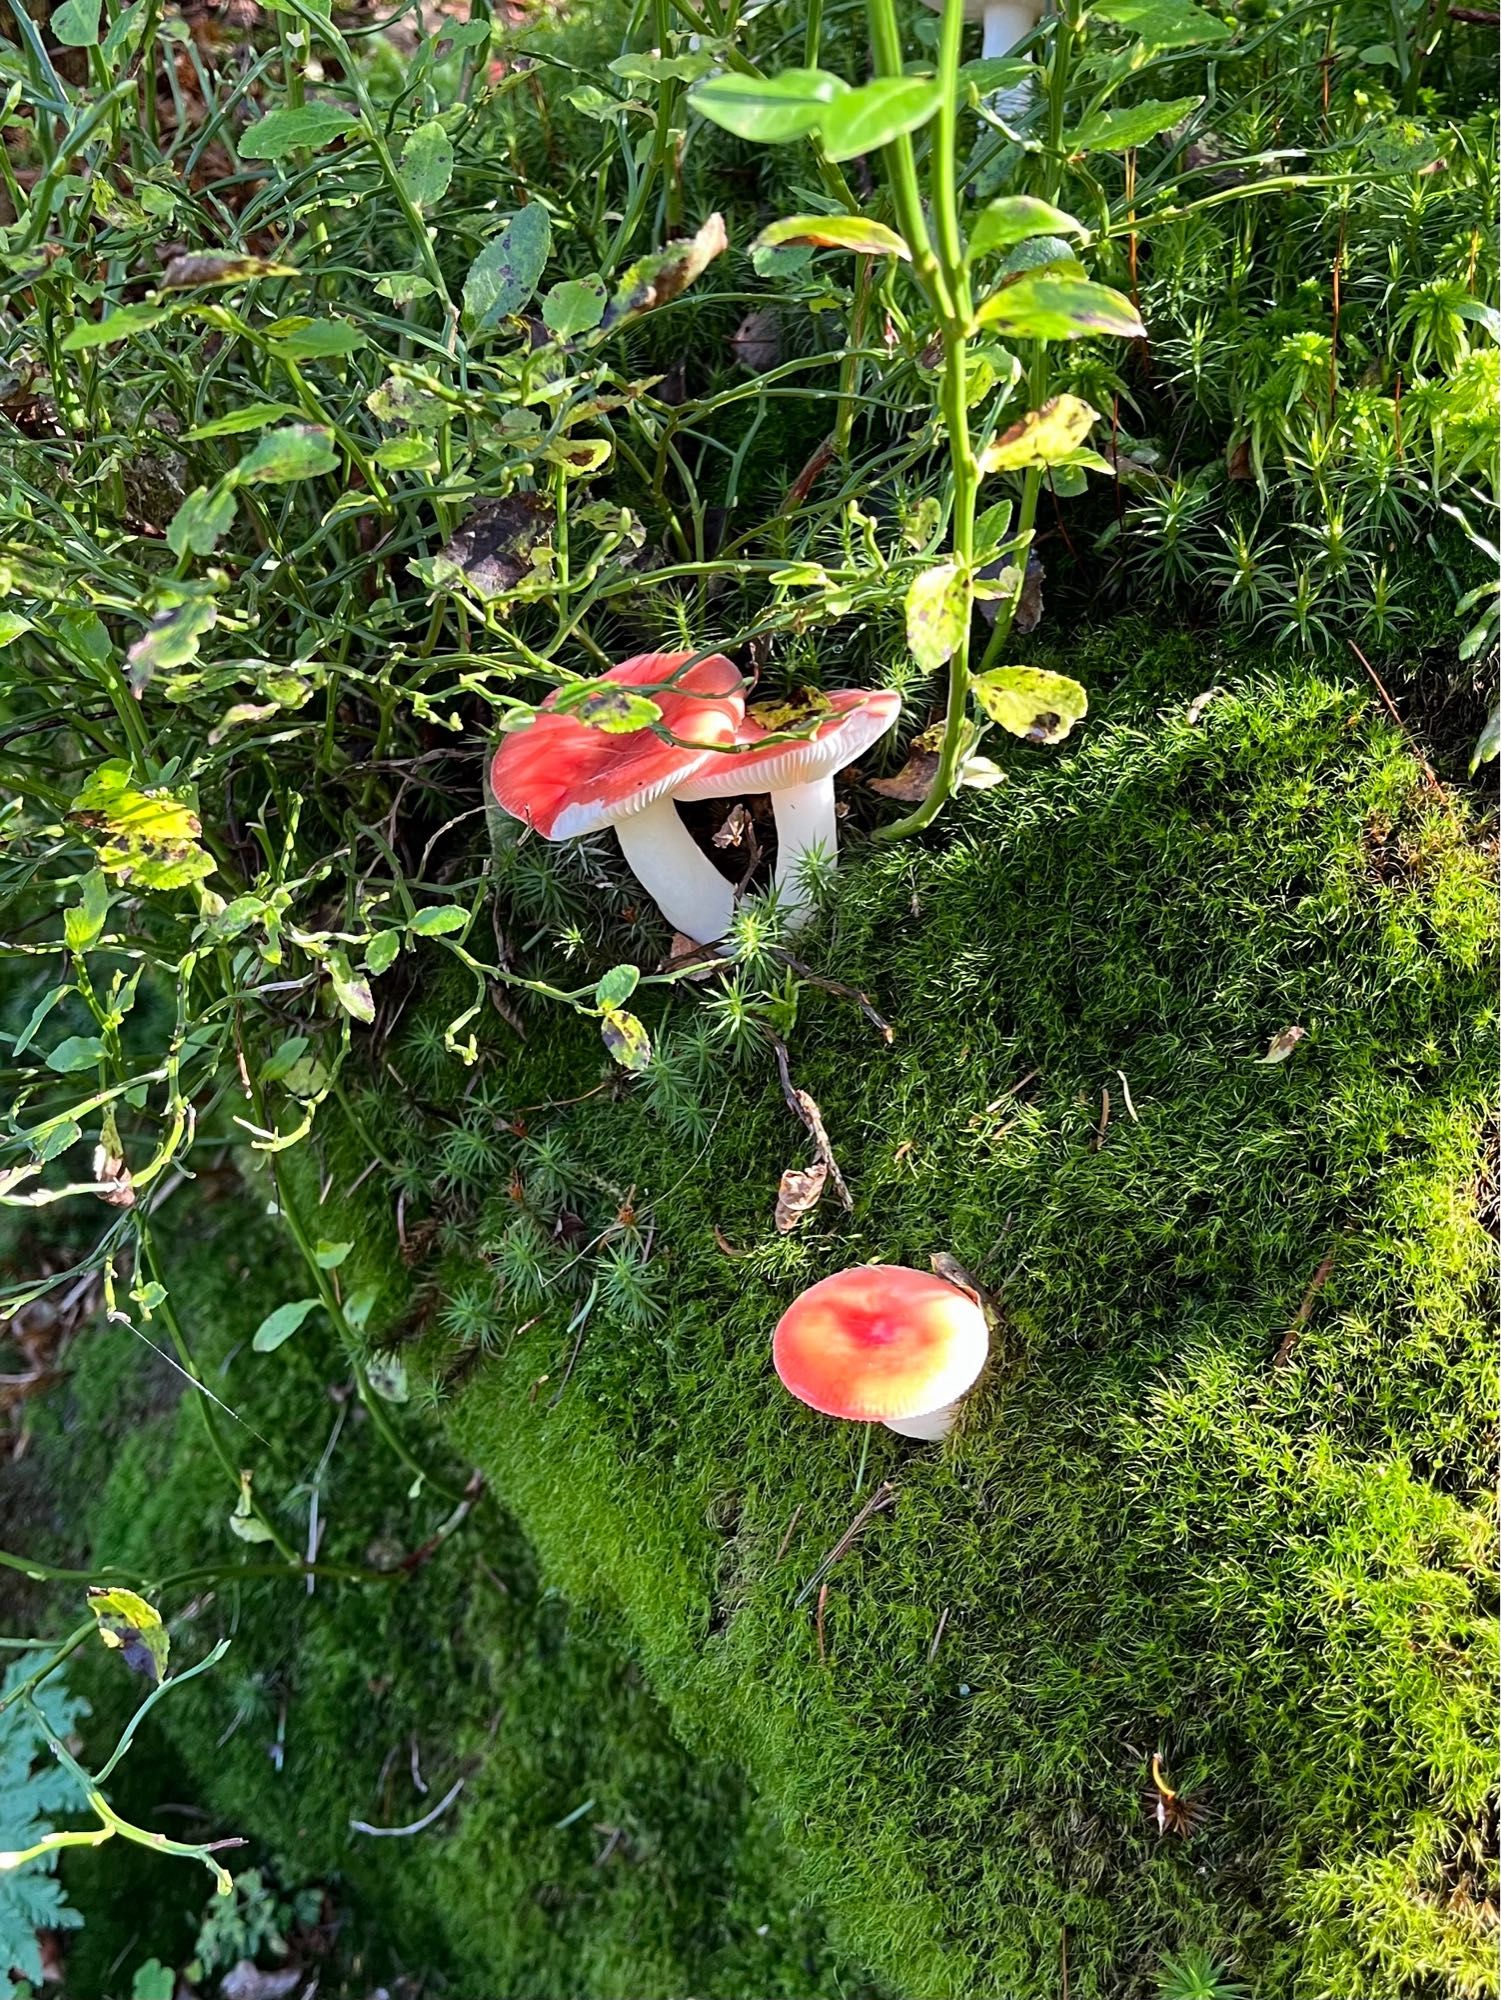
<point>565,779</point>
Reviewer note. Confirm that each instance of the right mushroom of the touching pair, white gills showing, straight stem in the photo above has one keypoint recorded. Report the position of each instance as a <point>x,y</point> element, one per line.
<point>800,779</point>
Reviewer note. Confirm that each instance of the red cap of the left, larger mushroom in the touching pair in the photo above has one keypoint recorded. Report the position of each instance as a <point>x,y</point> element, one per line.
<point>567,779</point>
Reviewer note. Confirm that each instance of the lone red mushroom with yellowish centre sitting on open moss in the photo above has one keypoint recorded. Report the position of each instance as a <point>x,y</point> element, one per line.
<point>884,1345</point>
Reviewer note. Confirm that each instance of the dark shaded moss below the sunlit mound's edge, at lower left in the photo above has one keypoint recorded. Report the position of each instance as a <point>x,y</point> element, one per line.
<point>587,1853</point>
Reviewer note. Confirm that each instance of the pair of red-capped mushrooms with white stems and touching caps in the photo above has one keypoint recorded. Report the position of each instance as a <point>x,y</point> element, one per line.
<point>565,779</point>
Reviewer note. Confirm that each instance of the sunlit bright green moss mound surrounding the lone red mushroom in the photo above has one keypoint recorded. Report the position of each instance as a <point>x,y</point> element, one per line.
<point>1202,1505</point>
